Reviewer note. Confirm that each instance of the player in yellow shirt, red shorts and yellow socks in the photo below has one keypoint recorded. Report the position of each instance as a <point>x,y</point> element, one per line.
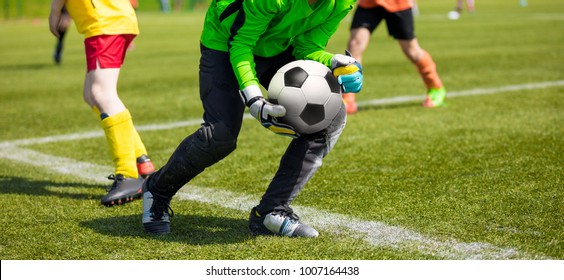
<point>109,26</point>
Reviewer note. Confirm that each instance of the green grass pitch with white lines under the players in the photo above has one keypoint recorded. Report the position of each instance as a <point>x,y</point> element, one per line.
<point>480,178</point>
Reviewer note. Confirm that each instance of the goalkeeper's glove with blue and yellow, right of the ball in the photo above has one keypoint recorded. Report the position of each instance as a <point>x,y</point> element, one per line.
<point>348,72</point>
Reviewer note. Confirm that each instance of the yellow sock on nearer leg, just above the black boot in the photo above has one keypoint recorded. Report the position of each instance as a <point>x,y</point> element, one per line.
<point>119,132</point>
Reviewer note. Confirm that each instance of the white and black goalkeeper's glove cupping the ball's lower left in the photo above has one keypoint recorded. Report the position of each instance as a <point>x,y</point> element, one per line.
<point>266,112</point>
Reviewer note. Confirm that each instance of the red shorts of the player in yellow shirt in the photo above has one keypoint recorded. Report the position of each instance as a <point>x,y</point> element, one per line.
<point>107,51</point>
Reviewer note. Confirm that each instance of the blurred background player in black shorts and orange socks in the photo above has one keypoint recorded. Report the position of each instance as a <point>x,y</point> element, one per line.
<point>398,15</point>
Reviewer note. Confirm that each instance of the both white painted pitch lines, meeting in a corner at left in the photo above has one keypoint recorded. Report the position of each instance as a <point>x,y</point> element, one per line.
<point>373,232</point>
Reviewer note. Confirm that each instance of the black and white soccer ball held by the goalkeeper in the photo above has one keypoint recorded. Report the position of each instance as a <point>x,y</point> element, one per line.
<point>309,92</point>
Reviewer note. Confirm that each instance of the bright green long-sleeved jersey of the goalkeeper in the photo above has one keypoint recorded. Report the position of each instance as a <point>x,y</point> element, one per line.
<point>266,28</point>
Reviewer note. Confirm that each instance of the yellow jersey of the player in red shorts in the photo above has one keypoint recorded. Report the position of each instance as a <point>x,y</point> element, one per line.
<point>103,17</point>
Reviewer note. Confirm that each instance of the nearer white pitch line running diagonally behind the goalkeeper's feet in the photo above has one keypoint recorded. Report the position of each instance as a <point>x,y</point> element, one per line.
<point>375,233</point>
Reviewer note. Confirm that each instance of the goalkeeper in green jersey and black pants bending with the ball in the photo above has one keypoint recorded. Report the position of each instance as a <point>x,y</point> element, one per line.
<point>243,44</point>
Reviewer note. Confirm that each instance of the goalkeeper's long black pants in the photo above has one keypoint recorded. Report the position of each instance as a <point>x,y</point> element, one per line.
<point>217,137</point>
